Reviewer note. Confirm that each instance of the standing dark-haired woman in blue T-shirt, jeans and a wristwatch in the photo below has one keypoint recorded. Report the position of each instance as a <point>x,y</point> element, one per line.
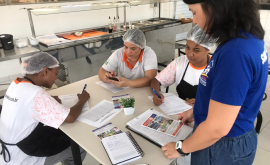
<point>230,88</point>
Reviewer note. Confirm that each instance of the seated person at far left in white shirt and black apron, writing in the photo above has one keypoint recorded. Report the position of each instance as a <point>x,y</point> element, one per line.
<point>27,108</point>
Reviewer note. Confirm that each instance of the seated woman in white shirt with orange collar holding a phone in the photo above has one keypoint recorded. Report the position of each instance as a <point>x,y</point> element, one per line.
<point>136,62</point>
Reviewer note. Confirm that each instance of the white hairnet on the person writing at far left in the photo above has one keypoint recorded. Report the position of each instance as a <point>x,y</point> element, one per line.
<point>38,62</point>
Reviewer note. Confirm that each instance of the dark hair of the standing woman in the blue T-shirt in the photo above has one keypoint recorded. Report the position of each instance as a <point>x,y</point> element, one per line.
<point>227,19</point>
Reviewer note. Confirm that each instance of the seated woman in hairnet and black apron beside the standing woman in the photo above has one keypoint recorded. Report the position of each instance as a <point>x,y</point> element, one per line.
<point>185,71</point>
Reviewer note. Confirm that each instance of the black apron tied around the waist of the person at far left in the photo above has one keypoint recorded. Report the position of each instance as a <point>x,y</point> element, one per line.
<point>43,141</point>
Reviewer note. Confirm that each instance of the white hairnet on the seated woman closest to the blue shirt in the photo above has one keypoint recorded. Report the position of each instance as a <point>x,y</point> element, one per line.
<point>197,35</point>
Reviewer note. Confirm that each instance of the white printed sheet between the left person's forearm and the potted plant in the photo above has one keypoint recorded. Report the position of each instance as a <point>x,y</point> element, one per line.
<point>99,114</point>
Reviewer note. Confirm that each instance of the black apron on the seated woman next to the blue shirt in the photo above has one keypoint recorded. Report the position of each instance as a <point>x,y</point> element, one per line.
<point>185,90</point>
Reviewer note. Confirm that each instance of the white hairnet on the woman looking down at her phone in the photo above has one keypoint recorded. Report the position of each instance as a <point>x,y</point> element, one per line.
<point>136,37</point>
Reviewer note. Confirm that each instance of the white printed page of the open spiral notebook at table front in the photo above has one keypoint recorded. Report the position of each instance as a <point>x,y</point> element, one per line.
<point>119,148</point>
